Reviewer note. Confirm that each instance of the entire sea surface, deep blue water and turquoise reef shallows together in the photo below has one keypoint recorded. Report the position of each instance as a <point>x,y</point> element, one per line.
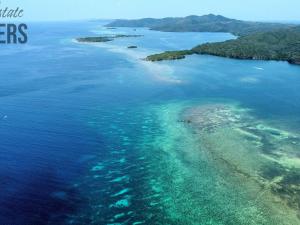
<point>91,134</point>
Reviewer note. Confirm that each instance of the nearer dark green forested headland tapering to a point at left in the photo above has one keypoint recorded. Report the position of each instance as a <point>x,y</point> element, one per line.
<point>282,44</point>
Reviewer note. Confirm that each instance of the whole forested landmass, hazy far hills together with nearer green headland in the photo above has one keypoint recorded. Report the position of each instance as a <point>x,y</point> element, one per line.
<point>256,40</point>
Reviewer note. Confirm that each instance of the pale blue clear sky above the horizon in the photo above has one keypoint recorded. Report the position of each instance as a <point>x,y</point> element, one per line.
<point>56,10</point>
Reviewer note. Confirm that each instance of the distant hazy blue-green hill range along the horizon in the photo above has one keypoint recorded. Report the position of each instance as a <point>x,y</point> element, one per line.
<point>207,23</point>
